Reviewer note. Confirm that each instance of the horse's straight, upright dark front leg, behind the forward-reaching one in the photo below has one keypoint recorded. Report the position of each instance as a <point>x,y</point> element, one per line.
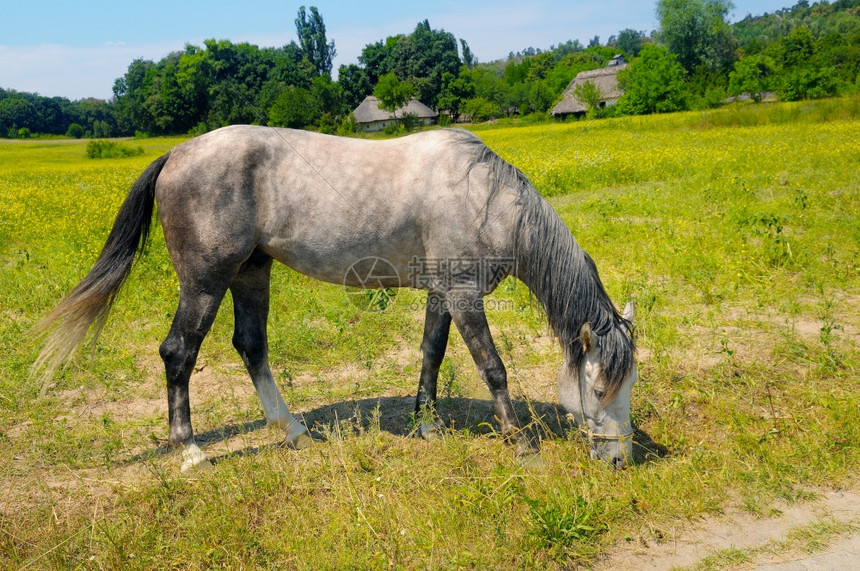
<point>437,326</point>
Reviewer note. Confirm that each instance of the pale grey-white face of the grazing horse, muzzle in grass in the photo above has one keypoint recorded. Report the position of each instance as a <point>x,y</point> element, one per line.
<point>602,410</point>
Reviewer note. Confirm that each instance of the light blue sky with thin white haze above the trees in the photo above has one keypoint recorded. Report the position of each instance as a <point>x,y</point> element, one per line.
<point>56,47</point>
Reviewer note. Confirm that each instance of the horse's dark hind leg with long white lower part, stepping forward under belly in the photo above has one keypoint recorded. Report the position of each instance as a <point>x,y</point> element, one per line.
<point>250,289</point>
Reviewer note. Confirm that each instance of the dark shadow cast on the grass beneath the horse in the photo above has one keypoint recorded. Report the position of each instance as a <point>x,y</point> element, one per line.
<point>395,415</point>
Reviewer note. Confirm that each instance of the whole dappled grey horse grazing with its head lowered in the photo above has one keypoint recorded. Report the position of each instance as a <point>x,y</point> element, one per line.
<point>233,200</point>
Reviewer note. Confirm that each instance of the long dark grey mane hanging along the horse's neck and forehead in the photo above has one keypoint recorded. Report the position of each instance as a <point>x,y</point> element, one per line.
<point>560,274</point>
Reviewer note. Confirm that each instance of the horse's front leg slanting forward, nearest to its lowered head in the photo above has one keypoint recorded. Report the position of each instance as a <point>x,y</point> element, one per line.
<point>471,321</point>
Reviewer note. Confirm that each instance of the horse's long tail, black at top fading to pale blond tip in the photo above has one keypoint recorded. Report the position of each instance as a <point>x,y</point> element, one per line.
<point>89,303</point>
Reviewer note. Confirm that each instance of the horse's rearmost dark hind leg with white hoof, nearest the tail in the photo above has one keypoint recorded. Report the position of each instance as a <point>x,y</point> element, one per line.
<point>197,309</point>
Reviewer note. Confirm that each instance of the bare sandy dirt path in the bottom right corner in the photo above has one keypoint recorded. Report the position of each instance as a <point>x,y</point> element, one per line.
<point>691,542</point>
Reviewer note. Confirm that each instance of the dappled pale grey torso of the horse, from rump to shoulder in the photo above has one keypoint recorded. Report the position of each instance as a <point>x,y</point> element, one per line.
<point>319,203</point>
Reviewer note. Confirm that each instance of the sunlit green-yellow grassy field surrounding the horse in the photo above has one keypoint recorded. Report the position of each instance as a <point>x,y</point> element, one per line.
<point>735,231</point>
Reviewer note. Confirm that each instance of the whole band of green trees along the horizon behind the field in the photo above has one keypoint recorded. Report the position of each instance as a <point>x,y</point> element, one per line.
<point>694,60</point>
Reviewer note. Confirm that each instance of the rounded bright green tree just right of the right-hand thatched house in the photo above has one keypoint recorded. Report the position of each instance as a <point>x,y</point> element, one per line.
<point>653,83</point>
